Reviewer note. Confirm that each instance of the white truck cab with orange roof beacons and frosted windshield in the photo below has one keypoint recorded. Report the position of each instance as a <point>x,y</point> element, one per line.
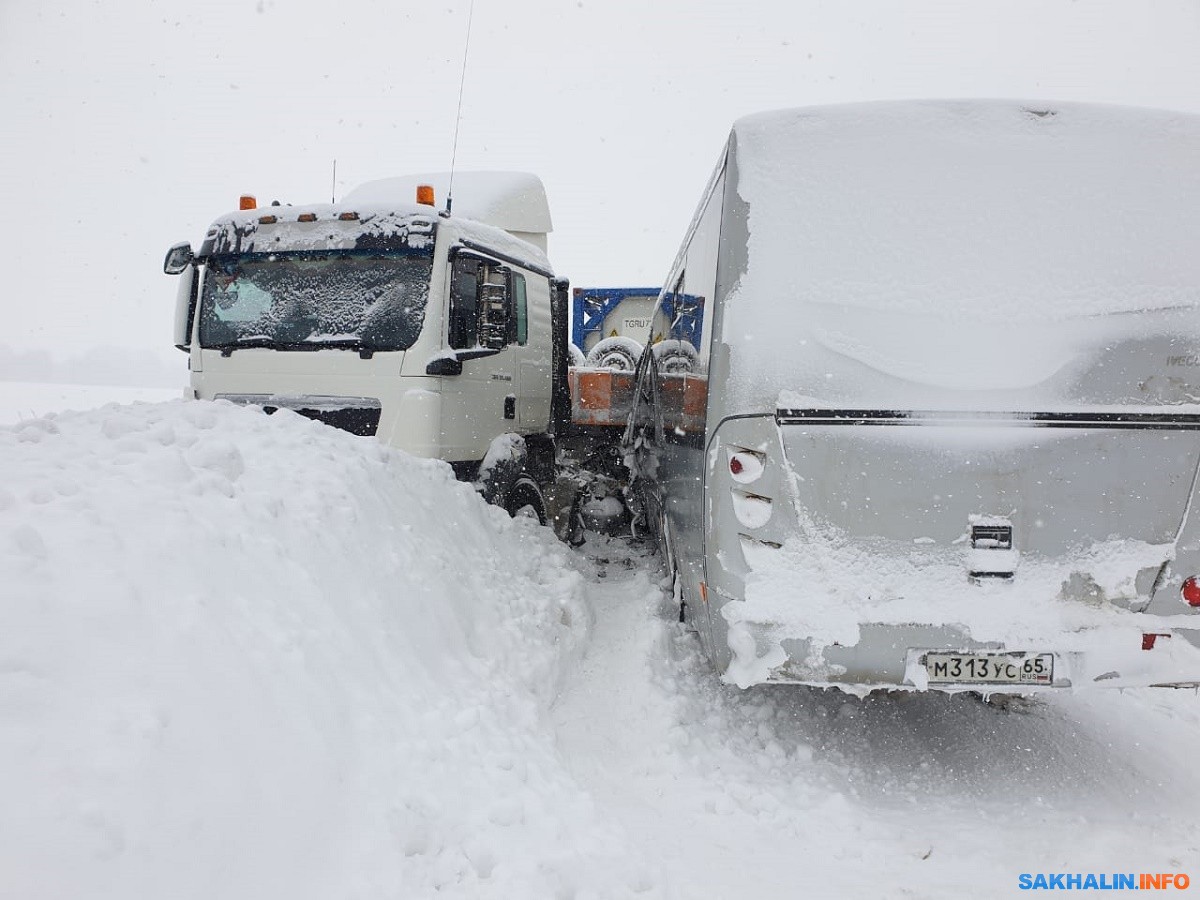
<point>433,332</point>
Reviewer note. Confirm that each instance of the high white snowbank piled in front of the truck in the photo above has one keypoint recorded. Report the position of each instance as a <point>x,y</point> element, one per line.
<point>248,657</point>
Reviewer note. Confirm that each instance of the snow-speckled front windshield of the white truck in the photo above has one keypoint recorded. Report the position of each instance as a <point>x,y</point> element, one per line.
<point>308,301</point>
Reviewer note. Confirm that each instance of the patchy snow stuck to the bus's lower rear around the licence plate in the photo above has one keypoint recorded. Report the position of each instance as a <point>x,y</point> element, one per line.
<point>849,586</point>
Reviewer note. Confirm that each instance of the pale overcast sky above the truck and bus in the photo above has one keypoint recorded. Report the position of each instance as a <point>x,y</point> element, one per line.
<point>131,125</point>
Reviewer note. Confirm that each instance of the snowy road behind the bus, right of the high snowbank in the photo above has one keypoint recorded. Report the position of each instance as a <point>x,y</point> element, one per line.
<point>787,791</point>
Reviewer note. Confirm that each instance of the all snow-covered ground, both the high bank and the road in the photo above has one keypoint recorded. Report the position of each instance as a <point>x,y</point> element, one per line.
<point>249,657</point>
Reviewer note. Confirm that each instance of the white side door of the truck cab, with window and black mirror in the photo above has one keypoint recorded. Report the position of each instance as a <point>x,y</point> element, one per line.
<point>482,403</point>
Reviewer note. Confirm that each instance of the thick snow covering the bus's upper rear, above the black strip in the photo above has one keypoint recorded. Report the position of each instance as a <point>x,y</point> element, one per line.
<point>908,250</point>
